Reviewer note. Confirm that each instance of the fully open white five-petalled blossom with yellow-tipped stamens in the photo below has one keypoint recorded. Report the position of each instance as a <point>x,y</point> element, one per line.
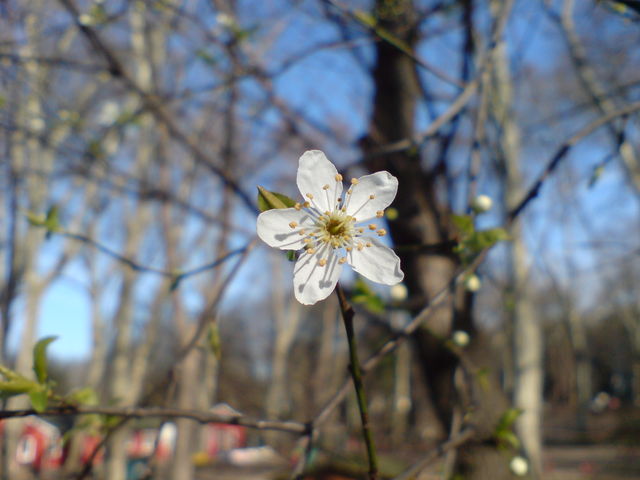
<point>333,231</point>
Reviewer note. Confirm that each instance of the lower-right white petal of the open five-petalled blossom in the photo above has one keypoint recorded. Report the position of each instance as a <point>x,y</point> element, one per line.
<point>378,263</point>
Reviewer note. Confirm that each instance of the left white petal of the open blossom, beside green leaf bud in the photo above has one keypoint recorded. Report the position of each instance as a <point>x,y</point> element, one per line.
<point>274,227</point>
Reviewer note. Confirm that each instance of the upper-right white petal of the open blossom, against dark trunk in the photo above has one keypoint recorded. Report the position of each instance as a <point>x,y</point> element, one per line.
<point>381,185</point>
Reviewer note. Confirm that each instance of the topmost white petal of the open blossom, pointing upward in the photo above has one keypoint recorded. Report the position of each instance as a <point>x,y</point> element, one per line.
<point>314,172</point>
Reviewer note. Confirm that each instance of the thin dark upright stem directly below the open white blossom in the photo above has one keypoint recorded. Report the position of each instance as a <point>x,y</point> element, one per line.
<point>356,375</point>
